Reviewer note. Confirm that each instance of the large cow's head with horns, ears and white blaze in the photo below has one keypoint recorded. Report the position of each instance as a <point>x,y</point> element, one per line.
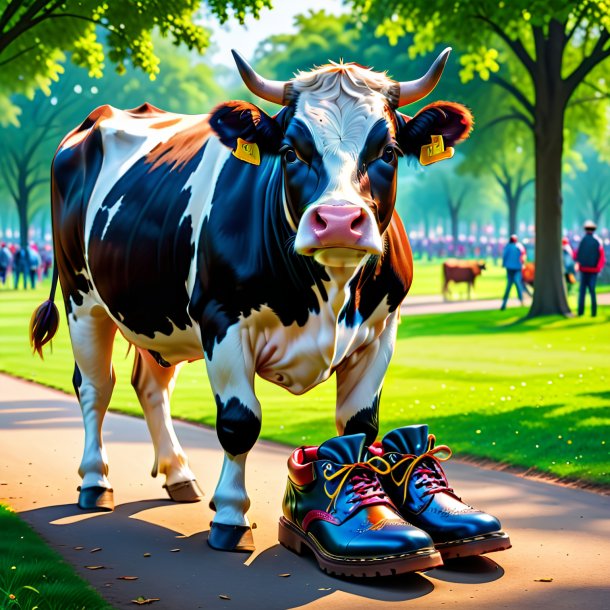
<point>339,137</point>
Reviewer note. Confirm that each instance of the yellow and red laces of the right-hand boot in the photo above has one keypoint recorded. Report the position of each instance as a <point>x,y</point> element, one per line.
<point>426,468</point>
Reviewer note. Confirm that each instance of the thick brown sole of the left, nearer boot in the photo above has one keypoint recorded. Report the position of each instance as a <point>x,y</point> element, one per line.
<point>296,540</point>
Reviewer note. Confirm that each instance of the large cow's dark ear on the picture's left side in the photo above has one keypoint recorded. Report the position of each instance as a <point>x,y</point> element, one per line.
<point>233,120</point>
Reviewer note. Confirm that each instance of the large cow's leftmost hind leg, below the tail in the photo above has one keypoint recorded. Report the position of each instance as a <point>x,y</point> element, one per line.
<point>92,333</point>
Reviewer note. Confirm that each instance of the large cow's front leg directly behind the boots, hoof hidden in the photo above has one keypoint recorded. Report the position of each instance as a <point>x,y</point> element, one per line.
<point>359,382</point>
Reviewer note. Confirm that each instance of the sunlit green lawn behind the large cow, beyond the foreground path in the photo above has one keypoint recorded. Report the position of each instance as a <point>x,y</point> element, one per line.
<point>533,394</point>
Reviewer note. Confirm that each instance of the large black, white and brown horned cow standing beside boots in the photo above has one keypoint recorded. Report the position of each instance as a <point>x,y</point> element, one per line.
<point>265,245</point>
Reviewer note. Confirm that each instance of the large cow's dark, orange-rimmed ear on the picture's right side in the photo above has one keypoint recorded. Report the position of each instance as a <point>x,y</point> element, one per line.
<point>447,119</point>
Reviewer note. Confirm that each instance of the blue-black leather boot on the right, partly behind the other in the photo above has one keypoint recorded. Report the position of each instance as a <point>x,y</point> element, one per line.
<point>418,487</point>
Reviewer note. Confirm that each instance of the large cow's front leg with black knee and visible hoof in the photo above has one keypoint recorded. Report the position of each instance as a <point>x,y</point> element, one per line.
<point>238,424</point>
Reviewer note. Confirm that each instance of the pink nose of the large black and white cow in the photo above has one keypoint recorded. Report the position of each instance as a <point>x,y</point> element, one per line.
<point>335,225</point>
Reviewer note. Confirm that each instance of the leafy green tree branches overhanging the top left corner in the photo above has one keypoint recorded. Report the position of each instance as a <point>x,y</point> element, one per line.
<point>36,34</point>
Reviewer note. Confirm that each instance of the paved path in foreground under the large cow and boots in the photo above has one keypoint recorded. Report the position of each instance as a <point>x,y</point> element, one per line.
<point>557,533</point>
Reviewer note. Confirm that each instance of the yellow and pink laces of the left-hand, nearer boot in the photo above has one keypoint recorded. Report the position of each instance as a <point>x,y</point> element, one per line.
<point>363,478</point>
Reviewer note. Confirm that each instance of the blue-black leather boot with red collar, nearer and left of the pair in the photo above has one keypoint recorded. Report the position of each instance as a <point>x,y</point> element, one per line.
<point>335,506</point>
